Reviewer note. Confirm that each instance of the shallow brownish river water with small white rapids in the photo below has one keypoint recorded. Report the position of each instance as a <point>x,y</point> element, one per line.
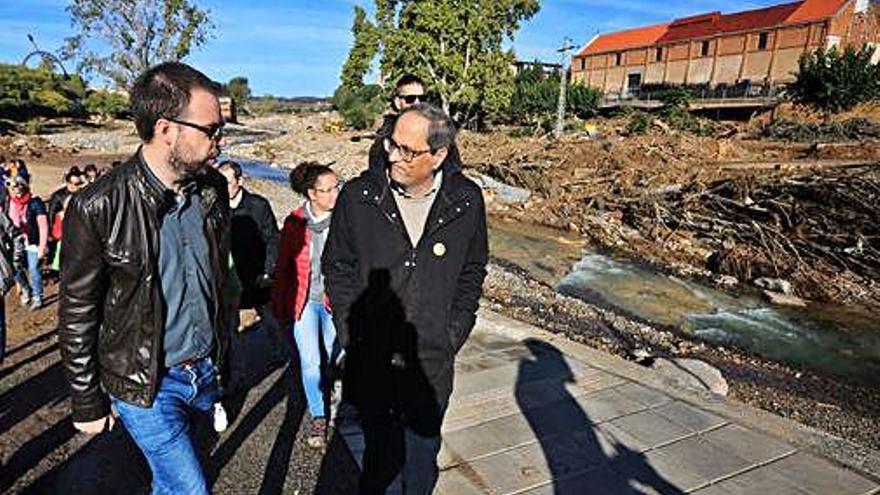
<point>831,340</point>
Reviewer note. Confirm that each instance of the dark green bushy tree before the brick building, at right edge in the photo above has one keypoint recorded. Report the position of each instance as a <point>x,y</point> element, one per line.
<point>834,81</point>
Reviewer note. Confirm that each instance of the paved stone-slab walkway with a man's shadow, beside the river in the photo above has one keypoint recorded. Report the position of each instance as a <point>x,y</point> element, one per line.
<point>534,413</point>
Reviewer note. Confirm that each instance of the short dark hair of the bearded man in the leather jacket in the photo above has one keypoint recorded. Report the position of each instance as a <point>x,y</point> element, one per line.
<point>164,91</point>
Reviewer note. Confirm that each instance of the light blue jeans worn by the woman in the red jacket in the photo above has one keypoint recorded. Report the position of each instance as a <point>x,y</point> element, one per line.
<point>316,324</point>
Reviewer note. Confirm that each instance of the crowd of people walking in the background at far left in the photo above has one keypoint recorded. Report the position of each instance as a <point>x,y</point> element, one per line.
<point>30,232</point>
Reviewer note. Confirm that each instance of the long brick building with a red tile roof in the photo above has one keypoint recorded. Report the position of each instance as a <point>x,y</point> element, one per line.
<point>762,46</point>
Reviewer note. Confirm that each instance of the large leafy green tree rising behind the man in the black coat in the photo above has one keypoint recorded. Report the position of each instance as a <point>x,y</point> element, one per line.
<point>456,46</point>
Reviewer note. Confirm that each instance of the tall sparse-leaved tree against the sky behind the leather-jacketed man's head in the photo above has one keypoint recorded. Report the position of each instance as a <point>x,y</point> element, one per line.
<point>136,34</point>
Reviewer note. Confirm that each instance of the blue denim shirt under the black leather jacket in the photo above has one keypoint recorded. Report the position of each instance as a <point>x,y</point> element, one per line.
<point>185,275</point>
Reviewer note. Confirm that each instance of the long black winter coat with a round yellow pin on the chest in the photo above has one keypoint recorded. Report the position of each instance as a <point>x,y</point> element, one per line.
<point>402,311</point>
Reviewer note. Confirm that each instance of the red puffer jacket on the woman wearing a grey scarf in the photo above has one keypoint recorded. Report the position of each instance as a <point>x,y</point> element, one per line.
<point>290,291</point>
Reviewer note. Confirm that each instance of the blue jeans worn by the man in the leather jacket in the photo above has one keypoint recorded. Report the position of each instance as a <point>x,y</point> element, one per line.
<point>163,432</point>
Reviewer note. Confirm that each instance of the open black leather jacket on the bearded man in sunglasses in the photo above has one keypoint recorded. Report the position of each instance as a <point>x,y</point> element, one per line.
<point>111,314</point>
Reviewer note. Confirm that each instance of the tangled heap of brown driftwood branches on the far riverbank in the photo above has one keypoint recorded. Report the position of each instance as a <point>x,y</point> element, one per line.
<point>819,230</point>
